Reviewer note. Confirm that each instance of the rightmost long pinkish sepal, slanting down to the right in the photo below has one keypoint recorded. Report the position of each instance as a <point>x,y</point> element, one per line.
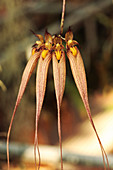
<point>79,75</point>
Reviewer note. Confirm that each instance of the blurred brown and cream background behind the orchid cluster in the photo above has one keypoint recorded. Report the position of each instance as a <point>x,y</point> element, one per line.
<point>92,24</point>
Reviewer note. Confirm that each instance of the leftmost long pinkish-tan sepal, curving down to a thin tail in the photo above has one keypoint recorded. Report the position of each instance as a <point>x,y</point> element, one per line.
<point>25,78</point>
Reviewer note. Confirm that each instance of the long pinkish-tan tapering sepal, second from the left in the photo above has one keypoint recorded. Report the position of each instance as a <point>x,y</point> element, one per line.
<point>40,92</point>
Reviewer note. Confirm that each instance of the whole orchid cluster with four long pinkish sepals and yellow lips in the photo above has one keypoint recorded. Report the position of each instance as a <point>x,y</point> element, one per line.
<point>43,51</point>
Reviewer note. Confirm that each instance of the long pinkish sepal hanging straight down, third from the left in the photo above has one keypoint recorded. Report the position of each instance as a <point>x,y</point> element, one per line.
<point>59,73</point>
